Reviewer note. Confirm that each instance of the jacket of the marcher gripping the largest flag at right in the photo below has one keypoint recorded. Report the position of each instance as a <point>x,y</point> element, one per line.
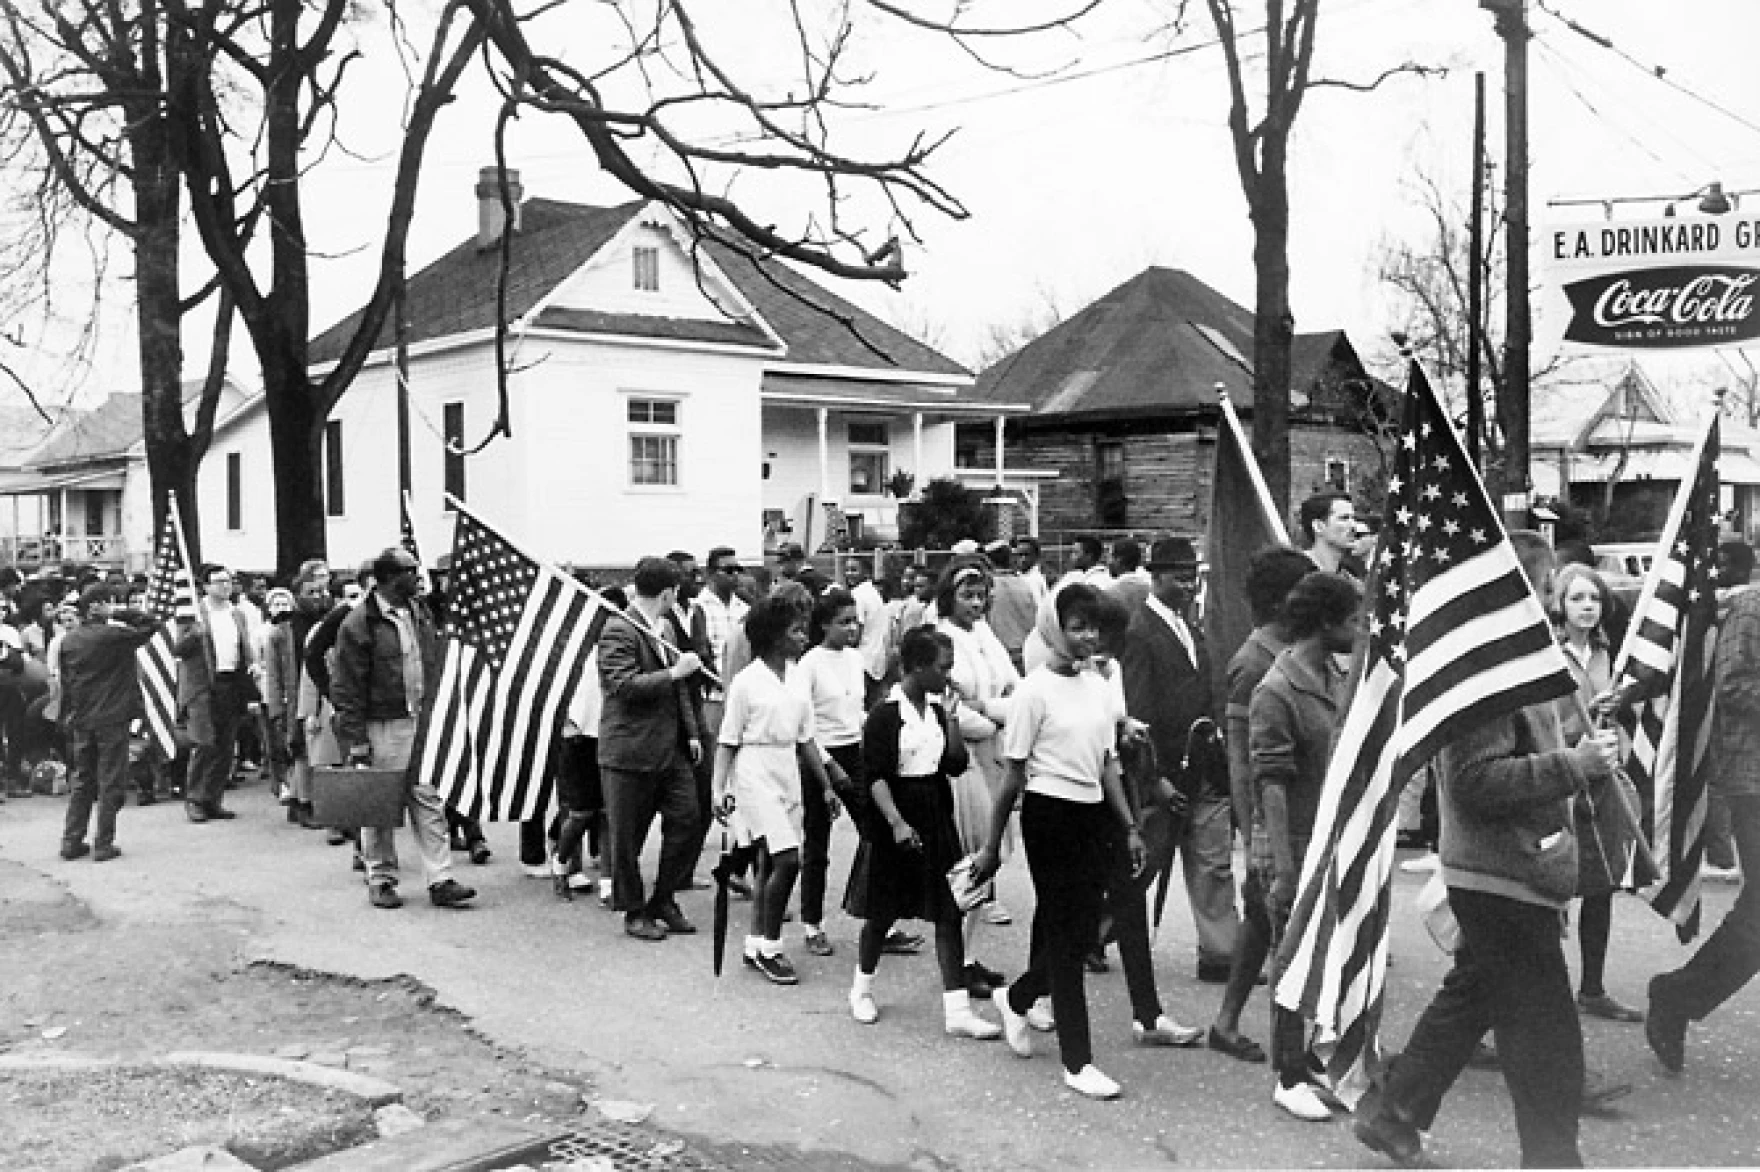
<point>1506,798</point>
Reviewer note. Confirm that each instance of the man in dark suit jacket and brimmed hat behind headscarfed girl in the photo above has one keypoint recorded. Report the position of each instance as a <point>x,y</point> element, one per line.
<point>1168,685</point>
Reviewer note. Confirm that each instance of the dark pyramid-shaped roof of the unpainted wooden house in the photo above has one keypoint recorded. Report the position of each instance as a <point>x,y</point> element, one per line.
<point>1159,344</point>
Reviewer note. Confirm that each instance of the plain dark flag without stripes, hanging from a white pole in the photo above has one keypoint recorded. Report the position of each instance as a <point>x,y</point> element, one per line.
<point>1242,524</point>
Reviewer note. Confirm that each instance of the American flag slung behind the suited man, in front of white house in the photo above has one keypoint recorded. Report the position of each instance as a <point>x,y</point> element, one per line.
<point>518,643</point>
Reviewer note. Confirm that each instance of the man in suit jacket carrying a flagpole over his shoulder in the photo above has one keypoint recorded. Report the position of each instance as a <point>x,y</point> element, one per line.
<point>649,742</point>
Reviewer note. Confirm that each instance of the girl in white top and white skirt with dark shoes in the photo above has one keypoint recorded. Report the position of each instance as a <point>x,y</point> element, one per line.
<point>766,749</point>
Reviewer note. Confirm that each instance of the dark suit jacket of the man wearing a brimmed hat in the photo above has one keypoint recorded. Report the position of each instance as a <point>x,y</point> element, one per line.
<point>1170,692</point>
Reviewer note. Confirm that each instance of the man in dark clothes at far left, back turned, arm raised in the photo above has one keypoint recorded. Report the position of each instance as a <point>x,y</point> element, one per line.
<point>99,698</point>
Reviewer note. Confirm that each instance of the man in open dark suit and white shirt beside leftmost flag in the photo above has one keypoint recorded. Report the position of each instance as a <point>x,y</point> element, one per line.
<point>216,677</point>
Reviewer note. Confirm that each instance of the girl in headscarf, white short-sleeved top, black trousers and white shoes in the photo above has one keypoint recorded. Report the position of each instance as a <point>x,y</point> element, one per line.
<point>1060,751</point>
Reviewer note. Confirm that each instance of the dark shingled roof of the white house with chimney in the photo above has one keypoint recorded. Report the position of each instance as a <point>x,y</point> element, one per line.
<point>457,295</point>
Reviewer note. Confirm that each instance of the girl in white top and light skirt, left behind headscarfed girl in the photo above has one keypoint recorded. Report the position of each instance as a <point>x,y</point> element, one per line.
<point>983,678</point>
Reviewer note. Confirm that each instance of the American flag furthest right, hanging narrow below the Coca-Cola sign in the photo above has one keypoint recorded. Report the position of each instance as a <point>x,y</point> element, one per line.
<point>1668,661</point>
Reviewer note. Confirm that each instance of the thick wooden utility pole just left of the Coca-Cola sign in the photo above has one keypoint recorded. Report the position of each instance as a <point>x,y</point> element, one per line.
<point>1513,409</point>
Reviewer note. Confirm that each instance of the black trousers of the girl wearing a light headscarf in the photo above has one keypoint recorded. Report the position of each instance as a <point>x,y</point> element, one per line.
<point>1067,854</point>
